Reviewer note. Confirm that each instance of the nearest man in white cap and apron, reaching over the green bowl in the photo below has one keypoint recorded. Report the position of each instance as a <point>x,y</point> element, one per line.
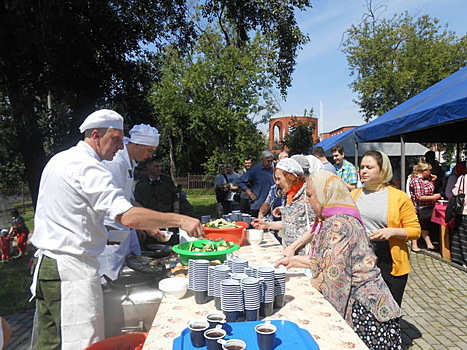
<point>76,192</point>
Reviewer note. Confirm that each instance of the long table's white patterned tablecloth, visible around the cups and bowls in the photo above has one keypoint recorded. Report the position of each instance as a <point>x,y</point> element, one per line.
<point>304,305</point>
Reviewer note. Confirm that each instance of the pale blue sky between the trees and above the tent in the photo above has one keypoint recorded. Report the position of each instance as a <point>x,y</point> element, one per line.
<point>322,76</point>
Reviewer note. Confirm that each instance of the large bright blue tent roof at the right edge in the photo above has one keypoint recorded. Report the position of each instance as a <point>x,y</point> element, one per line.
<point>437,114</point>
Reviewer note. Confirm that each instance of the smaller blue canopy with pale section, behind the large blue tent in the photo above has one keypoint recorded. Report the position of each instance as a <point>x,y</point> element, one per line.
<point>347,140</point>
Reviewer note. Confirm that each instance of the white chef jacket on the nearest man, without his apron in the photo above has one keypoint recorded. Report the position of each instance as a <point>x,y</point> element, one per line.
<point>76,192</point>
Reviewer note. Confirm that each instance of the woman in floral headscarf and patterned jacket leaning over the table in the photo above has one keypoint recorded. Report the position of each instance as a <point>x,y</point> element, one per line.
<point>344,266</point>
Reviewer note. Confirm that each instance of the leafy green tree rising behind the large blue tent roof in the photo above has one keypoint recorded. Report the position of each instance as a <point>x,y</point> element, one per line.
<point>395,59</point>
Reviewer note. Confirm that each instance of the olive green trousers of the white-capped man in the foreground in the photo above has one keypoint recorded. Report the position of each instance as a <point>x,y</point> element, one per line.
<point>48,296</point>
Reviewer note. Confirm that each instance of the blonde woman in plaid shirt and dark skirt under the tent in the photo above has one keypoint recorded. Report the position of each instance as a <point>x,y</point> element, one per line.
<point>422,192</point>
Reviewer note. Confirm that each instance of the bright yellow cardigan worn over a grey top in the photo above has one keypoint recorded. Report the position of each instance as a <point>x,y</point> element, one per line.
<point>401,214</point>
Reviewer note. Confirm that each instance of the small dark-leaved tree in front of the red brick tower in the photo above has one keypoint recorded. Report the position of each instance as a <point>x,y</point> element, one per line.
<point>300,137</point>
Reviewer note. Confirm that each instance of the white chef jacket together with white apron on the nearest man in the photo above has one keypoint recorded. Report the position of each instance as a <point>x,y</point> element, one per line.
<point>76,192</point>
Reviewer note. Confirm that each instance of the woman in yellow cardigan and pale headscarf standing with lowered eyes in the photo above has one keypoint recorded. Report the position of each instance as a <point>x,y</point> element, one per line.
<point>390,220</point>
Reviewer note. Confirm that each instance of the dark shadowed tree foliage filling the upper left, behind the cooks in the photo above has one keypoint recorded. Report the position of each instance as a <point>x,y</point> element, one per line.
<point>94,54</point>
